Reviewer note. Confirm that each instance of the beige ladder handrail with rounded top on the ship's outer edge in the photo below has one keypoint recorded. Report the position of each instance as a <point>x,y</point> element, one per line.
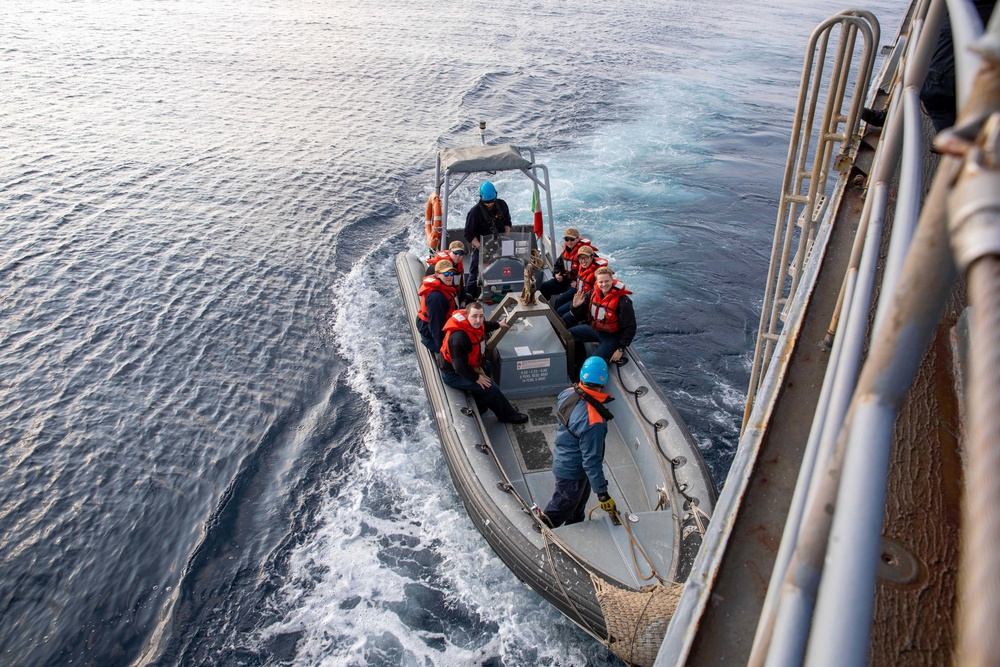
<point>804,190</point>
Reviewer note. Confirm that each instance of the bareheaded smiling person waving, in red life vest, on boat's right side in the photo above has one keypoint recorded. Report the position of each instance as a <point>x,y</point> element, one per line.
<point>608,315</point>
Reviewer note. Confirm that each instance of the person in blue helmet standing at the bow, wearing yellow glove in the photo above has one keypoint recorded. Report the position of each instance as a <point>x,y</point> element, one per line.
<point>578,461</point>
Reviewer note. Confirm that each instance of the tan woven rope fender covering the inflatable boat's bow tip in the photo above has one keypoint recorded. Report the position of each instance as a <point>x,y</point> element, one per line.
<point>637,620</point>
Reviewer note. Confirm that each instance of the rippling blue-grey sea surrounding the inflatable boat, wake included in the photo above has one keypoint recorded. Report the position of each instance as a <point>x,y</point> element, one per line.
<point>215,445</point>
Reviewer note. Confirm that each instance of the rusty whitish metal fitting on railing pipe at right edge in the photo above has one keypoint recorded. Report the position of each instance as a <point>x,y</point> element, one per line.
<point>974,201</point>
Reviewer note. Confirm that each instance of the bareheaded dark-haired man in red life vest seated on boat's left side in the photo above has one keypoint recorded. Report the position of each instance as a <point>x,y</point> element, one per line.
<point>464,362</point>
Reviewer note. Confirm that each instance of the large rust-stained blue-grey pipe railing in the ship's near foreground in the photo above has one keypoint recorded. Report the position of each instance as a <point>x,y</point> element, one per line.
<point>819,605</point>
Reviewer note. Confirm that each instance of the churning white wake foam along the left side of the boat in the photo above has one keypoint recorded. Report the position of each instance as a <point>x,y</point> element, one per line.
<point>397,534</point>
